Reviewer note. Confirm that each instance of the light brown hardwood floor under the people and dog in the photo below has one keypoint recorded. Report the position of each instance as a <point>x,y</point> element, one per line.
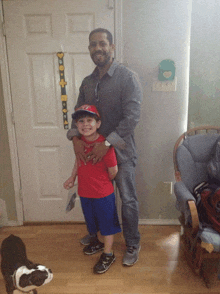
<point>161,267</point>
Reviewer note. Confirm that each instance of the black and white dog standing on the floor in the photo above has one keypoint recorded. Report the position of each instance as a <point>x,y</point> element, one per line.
<point>20,274</point>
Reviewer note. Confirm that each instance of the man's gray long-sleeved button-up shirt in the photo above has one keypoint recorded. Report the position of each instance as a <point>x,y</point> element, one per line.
<point>118,97</point>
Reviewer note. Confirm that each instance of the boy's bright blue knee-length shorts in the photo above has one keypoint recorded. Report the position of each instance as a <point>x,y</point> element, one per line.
<point>101,215</point>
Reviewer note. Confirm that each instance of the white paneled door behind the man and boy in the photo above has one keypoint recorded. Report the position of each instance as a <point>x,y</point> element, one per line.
<point>35,31</point>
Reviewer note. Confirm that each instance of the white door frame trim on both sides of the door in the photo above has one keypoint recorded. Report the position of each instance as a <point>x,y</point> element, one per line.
<point>9,105</point>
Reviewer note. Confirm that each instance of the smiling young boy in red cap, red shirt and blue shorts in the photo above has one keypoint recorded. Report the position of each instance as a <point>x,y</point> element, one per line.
<point>95,189</point>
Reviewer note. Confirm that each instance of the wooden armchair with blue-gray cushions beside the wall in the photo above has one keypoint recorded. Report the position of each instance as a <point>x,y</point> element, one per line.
<point>192,152</point>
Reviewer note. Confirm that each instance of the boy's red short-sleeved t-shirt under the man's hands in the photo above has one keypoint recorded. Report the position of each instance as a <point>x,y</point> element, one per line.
<point>93,180</point>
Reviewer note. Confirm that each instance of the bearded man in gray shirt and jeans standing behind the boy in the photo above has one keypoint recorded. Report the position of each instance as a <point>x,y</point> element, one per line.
<point>116,92</point>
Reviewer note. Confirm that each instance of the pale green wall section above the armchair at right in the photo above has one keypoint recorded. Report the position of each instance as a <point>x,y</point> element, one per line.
<point>204,90</point>
